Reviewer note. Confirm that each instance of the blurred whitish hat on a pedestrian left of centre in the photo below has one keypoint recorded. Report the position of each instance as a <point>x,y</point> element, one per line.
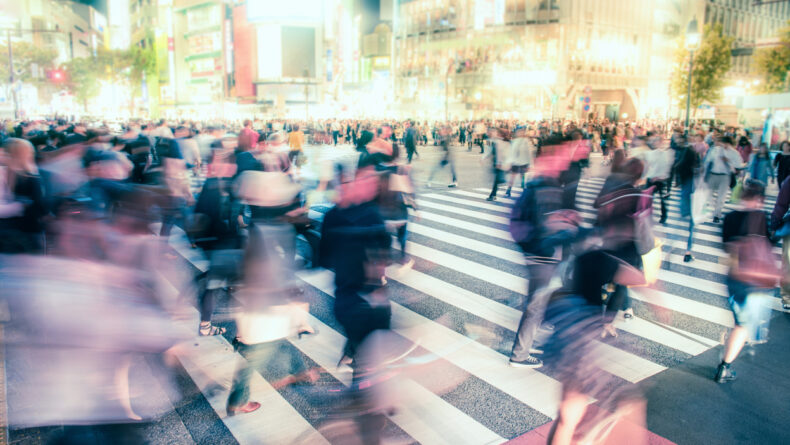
<point>267,189</point>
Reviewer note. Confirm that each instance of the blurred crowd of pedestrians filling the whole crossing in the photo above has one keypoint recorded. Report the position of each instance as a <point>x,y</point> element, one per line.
<point>87,194</point>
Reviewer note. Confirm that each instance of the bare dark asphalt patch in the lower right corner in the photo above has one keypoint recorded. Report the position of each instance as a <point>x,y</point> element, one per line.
<point>686,406</point>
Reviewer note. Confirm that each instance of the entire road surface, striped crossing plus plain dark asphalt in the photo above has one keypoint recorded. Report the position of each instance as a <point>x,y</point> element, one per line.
<point>460,304</point>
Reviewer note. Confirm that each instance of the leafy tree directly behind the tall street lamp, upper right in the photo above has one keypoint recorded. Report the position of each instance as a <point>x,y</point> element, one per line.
<point>712,60</point>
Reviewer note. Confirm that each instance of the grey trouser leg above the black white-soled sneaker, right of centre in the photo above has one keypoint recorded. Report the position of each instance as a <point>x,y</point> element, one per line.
<point>539,277</point>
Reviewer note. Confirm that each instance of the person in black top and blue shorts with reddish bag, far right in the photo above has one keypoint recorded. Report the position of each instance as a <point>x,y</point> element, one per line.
<point>753,270</point>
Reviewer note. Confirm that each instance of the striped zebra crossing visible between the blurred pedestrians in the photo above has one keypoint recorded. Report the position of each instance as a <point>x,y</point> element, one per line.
<point>461,303</point>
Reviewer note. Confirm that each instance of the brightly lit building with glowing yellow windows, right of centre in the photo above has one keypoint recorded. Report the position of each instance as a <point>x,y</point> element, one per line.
<point>534,58</point>
